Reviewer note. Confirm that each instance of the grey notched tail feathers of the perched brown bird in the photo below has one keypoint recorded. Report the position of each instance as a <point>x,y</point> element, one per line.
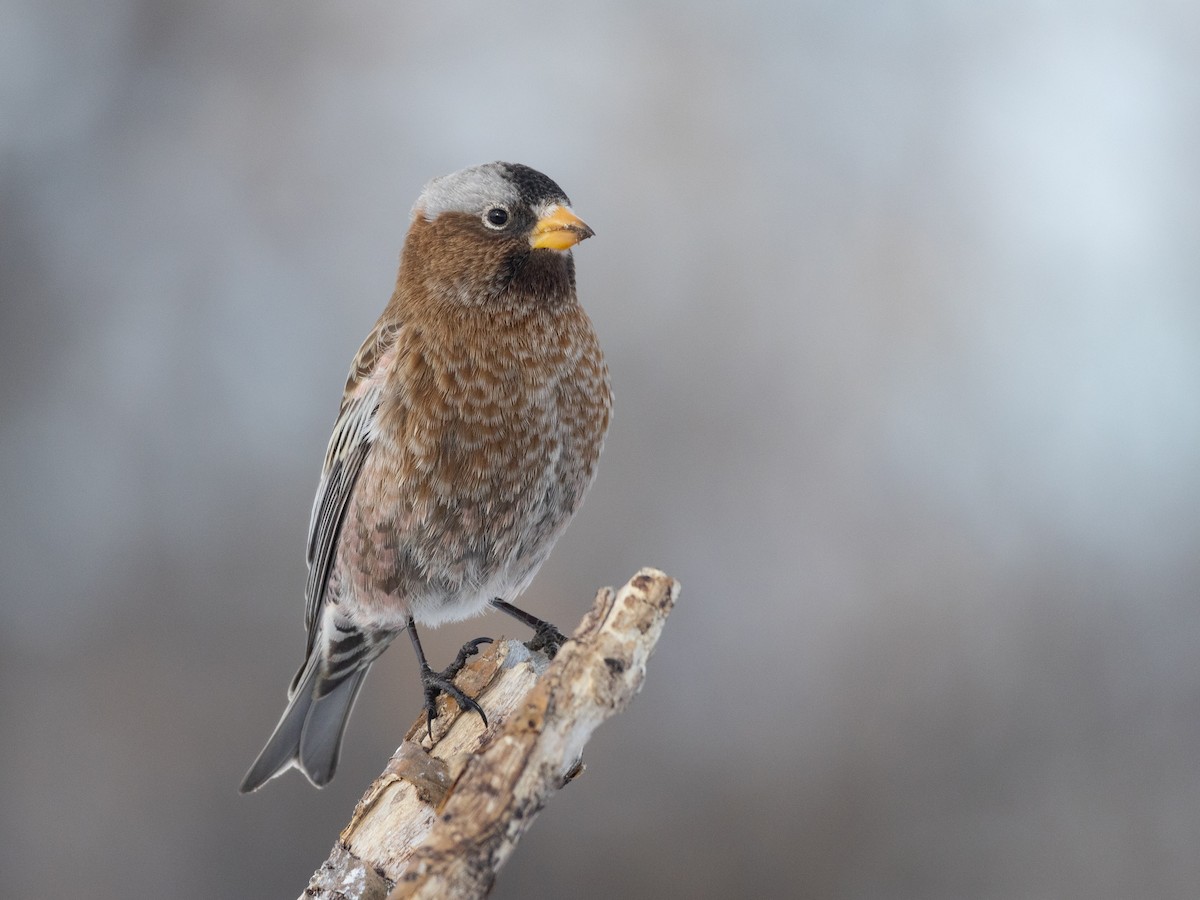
<point>310,734</point>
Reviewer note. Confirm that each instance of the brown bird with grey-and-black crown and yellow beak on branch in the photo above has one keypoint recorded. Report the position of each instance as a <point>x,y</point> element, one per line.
<point>469,434</point>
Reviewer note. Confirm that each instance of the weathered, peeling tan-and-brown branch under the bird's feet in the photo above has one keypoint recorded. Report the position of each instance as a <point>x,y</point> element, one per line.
<point>446,814</point>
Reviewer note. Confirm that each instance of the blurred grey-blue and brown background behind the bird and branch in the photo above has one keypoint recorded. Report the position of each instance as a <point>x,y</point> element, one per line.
<point>902,304</point>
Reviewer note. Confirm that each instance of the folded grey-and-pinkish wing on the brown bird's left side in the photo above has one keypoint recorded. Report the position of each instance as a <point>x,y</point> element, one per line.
<point>349,448</point>
